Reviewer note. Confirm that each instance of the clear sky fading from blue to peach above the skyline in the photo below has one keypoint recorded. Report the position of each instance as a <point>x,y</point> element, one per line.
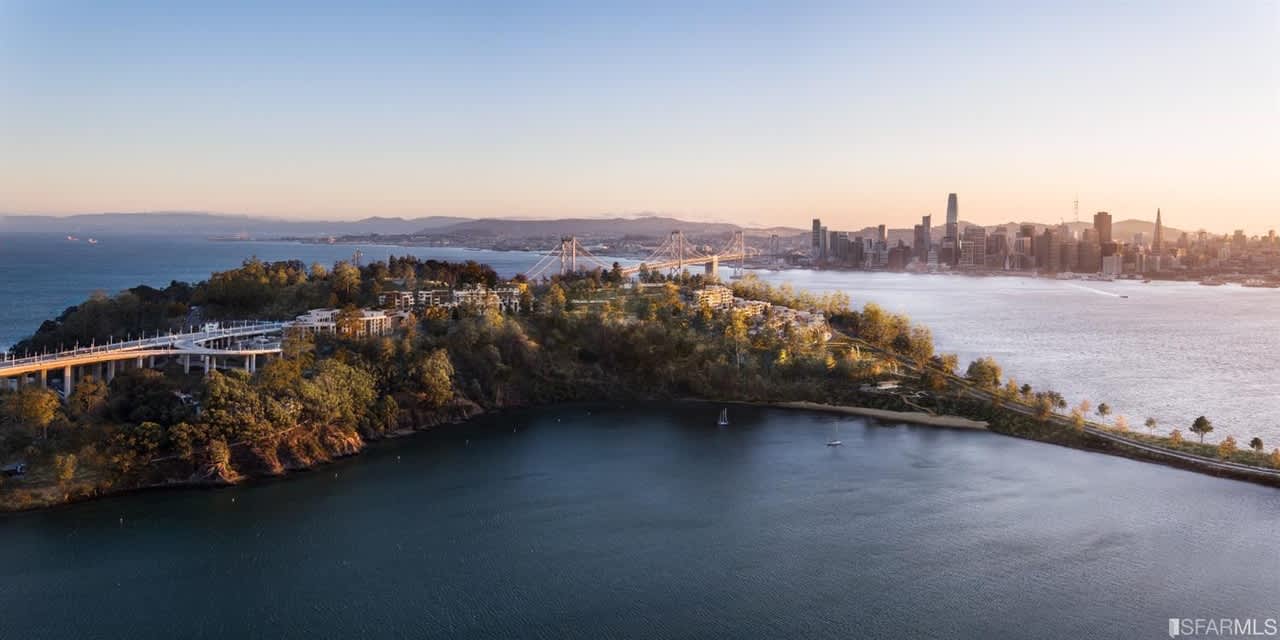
<point>758,113</point>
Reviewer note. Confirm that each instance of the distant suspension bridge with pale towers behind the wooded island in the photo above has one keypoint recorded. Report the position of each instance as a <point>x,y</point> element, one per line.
<point>674,255</point>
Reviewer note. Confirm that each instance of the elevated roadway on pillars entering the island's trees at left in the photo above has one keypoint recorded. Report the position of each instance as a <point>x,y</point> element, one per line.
<point>223,342</point>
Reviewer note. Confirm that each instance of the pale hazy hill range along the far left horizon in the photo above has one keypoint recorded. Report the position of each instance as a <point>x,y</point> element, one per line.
<point>171,223</point>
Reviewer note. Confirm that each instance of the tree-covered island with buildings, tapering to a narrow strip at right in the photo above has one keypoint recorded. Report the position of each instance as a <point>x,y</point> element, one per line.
<point>273,368</point>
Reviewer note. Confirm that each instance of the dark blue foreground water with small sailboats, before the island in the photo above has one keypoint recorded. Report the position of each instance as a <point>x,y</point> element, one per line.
<point>623,523</point>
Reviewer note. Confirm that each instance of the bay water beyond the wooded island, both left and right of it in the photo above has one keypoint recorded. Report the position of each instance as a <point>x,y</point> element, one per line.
<point>1173,351</point>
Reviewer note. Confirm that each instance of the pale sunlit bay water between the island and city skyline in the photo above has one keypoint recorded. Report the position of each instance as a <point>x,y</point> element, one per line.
<point>1172,351</point>
